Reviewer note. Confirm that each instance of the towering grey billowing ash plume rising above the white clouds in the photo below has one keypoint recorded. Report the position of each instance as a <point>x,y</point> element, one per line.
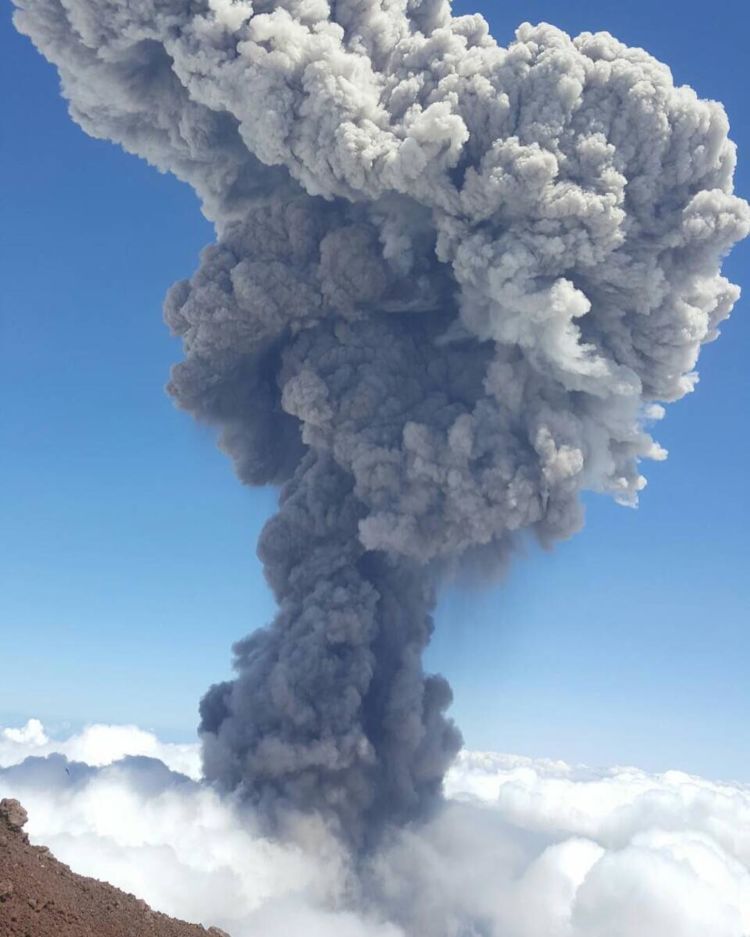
<point>452,282</point>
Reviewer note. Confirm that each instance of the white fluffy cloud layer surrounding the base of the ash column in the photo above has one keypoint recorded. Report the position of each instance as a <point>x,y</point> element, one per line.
<point>524,848</point>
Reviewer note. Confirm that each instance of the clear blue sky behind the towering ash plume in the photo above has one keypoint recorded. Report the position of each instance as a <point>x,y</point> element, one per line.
<point>127,552</point>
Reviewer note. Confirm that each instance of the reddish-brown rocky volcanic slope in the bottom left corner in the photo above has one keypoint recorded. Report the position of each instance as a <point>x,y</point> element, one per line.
<point>41,897</point>
